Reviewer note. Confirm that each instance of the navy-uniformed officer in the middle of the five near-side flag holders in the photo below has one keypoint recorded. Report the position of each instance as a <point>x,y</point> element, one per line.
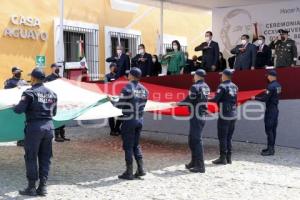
<point>197,102</point>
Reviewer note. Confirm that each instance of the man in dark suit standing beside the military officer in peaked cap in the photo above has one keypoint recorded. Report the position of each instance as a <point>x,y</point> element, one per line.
<point>264,53</point>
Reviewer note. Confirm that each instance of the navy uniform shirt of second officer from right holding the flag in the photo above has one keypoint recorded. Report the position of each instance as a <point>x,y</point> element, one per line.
<point>226,98</point>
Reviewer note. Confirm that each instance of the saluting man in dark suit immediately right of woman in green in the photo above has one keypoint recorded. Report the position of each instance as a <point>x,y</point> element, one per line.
<point>210,53</point>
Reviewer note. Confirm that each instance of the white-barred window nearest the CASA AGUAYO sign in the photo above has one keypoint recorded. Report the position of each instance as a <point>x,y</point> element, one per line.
<point>82,42</point>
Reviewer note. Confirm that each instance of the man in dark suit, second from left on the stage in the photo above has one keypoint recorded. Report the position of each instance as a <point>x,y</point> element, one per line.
<point>143,61</point>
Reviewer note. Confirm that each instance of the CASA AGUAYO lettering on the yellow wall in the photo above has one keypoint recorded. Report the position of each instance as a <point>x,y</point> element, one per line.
<point>22,27</point>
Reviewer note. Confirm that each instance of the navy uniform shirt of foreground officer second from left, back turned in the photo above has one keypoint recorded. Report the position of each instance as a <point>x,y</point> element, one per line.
<point>133,100</point>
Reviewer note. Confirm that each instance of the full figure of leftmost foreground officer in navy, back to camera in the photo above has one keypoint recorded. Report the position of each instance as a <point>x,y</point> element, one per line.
<point>39,105</point>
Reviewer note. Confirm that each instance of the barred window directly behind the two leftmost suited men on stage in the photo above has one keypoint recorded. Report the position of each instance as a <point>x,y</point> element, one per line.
<point>128,41</point>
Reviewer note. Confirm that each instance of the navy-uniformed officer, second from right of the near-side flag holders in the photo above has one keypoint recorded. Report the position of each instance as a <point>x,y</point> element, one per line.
<point>226,98</point>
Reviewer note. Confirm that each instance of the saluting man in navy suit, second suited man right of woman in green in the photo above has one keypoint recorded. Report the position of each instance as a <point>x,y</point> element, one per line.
<point>245,54</point>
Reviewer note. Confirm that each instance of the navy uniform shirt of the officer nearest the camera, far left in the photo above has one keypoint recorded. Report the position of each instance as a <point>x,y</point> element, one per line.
<point>38,103</point>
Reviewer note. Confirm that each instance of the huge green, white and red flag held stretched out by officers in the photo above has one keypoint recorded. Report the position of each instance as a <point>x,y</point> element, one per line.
<point>88,101</point>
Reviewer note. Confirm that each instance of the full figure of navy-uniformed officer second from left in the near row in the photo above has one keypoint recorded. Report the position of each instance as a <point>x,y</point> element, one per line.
<point>132,101</point>
